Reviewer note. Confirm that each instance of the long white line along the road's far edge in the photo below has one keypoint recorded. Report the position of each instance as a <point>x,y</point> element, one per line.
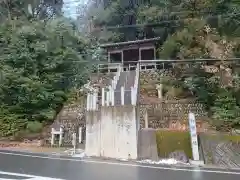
<point>125,164</point>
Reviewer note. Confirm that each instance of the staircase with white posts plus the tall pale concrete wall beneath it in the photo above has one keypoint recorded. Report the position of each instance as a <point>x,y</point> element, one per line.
<point>115,120</point>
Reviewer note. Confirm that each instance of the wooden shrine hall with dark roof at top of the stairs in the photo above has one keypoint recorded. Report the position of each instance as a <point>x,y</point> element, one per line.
<point>127,54</point>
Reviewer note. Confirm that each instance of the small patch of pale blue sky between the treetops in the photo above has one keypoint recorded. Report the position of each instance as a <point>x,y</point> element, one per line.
<point>70,7</point>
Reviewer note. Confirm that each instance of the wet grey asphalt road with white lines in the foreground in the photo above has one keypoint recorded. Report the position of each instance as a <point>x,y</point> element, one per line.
<point>16,165</point>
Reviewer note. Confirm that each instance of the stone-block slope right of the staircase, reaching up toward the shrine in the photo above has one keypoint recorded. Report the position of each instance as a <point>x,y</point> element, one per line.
<point>165,112</point>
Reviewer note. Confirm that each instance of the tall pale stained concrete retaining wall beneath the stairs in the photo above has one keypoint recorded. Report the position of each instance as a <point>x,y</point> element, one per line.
<point>111,132</point>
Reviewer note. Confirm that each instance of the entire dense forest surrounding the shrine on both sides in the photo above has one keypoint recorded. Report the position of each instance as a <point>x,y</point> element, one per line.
<point>46,56</point>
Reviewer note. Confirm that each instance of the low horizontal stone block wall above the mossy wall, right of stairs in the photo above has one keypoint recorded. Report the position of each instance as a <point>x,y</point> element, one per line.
<point>173,114</point>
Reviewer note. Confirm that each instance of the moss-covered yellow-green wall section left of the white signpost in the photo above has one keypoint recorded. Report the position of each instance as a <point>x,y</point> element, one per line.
<point>180,141</point>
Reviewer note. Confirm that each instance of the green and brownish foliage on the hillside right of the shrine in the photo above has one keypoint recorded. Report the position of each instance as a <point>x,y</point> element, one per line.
<point>197,39</point>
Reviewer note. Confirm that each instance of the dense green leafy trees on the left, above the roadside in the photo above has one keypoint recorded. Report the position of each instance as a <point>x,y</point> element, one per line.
<point>40,61</point>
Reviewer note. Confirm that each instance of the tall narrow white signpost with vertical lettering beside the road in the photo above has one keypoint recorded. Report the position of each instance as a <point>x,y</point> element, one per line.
<point>193,133</point>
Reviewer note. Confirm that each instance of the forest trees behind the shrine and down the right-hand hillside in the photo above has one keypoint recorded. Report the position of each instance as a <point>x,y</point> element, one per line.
<point>189,29</point>
